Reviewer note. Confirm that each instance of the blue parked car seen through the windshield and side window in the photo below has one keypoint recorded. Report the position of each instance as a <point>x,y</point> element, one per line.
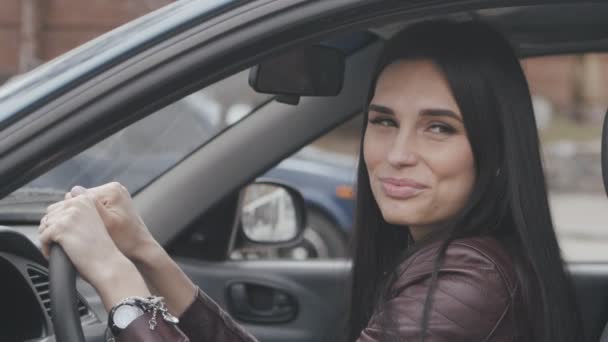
<point>139,153</point>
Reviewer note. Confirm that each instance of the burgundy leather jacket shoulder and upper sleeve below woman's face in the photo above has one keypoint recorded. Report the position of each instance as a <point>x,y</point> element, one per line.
<point>473,300</point>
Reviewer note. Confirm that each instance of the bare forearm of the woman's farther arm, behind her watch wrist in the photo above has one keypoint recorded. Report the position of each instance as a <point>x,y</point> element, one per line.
<point>164,277</point>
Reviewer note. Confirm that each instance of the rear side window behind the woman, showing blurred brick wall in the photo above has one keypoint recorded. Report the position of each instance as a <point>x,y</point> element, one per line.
<point>569,94</point>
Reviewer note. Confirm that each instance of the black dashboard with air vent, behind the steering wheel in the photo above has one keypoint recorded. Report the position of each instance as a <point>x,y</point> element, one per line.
<point>24,292</point>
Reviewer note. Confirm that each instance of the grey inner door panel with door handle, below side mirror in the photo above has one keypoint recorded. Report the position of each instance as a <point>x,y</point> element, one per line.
<point>317,289</point>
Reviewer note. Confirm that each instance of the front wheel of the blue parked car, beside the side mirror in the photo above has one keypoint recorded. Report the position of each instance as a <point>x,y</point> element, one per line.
<point>322,239</point>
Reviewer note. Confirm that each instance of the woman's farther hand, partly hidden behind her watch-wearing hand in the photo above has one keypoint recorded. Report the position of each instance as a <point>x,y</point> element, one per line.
<point>124,225</point>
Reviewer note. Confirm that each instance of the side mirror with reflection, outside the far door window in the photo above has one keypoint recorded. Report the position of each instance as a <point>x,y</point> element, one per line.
<point>272,214</point>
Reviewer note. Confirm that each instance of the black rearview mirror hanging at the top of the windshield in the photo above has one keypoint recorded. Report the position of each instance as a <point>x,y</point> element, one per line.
<point>315,70</point>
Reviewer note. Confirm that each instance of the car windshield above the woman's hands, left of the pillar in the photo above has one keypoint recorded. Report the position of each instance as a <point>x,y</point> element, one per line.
<point>139,153</point>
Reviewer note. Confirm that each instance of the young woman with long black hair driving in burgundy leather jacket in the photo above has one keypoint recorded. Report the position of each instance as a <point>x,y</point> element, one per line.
<point>454,238</point>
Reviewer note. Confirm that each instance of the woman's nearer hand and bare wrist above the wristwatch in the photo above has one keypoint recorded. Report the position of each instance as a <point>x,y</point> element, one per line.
<point>76,225</point>
